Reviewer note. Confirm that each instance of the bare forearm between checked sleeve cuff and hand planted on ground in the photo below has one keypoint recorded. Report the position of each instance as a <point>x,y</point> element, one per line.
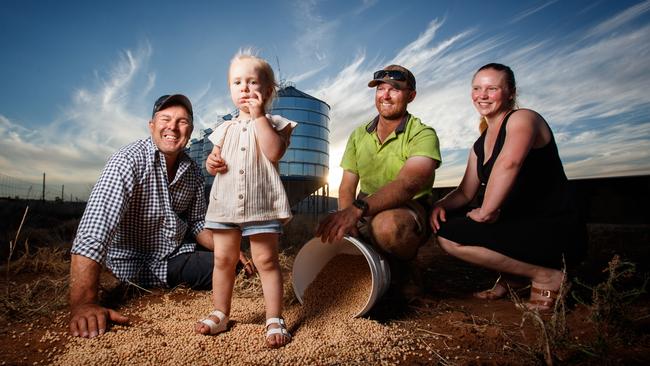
<point>84,280</point>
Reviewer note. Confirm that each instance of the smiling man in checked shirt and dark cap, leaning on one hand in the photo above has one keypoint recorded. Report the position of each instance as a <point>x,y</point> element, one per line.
<point>149,196</point>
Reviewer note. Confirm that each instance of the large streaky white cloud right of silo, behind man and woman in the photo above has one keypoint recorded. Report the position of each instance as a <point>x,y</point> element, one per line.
<point>568,82</point>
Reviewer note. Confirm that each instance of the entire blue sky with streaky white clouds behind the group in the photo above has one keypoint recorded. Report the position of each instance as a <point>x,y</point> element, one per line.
<point>79,77</point>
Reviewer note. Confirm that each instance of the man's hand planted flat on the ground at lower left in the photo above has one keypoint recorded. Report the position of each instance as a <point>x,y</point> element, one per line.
<point>92,320</point>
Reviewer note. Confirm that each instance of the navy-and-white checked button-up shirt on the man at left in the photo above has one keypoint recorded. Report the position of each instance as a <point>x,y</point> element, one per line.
<point>135,220</point>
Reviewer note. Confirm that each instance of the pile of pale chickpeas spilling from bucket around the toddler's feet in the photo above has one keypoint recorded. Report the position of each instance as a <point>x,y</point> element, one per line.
<point>323,328</point>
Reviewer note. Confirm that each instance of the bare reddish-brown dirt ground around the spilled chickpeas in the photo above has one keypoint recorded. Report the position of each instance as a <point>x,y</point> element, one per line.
<point>460,329</point>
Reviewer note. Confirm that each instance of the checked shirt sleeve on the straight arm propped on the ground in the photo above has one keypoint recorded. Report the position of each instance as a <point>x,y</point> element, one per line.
<point>105,208</point>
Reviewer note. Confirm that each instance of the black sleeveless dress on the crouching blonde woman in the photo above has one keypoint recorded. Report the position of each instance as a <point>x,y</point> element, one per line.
<point>539,223</point>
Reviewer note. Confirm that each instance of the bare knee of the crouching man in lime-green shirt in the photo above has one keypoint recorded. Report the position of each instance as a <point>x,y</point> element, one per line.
<point>395,232</point>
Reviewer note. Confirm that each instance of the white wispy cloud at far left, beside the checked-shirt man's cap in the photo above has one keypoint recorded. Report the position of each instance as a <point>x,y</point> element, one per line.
<point>74,146</point>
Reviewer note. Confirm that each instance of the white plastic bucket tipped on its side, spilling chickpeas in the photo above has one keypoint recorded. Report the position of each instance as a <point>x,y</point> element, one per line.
<point>315,254</point>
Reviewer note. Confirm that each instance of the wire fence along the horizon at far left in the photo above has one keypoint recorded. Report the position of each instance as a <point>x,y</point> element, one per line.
<point>15,188</point>
